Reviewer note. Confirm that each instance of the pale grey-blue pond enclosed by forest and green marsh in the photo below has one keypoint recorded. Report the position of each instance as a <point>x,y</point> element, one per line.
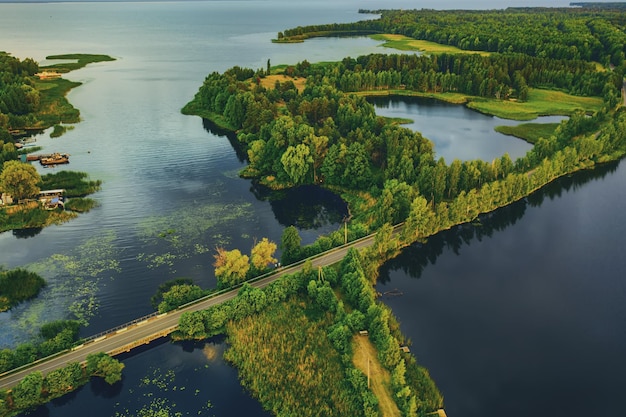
<point>456,131</point>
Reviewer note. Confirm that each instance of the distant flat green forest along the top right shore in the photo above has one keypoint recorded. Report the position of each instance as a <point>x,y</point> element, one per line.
<point>580,34</point>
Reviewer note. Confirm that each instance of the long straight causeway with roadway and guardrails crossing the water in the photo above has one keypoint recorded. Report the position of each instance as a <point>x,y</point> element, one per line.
<point>144,330</point>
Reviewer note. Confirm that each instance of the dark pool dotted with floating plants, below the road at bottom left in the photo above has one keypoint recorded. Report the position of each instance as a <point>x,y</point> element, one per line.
<point>188,378</point>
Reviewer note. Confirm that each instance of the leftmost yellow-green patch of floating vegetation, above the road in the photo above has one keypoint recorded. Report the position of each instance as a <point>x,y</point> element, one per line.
<point>72,287</point>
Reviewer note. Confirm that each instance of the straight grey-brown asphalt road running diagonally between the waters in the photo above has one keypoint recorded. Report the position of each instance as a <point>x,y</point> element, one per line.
<point>120,338</point>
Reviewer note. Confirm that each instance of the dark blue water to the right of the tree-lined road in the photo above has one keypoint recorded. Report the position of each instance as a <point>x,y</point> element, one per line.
<point>521,313</point>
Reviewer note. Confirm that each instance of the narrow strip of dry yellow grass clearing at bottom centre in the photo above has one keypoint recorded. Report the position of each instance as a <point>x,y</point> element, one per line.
<point>379,376</point>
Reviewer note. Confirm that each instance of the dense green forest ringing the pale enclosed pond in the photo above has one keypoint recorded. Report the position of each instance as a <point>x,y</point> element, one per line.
<point>324,136</point>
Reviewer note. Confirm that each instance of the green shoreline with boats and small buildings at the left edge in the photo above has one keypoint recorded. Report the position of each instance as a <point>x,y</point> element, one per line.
<point>34,100</point>
